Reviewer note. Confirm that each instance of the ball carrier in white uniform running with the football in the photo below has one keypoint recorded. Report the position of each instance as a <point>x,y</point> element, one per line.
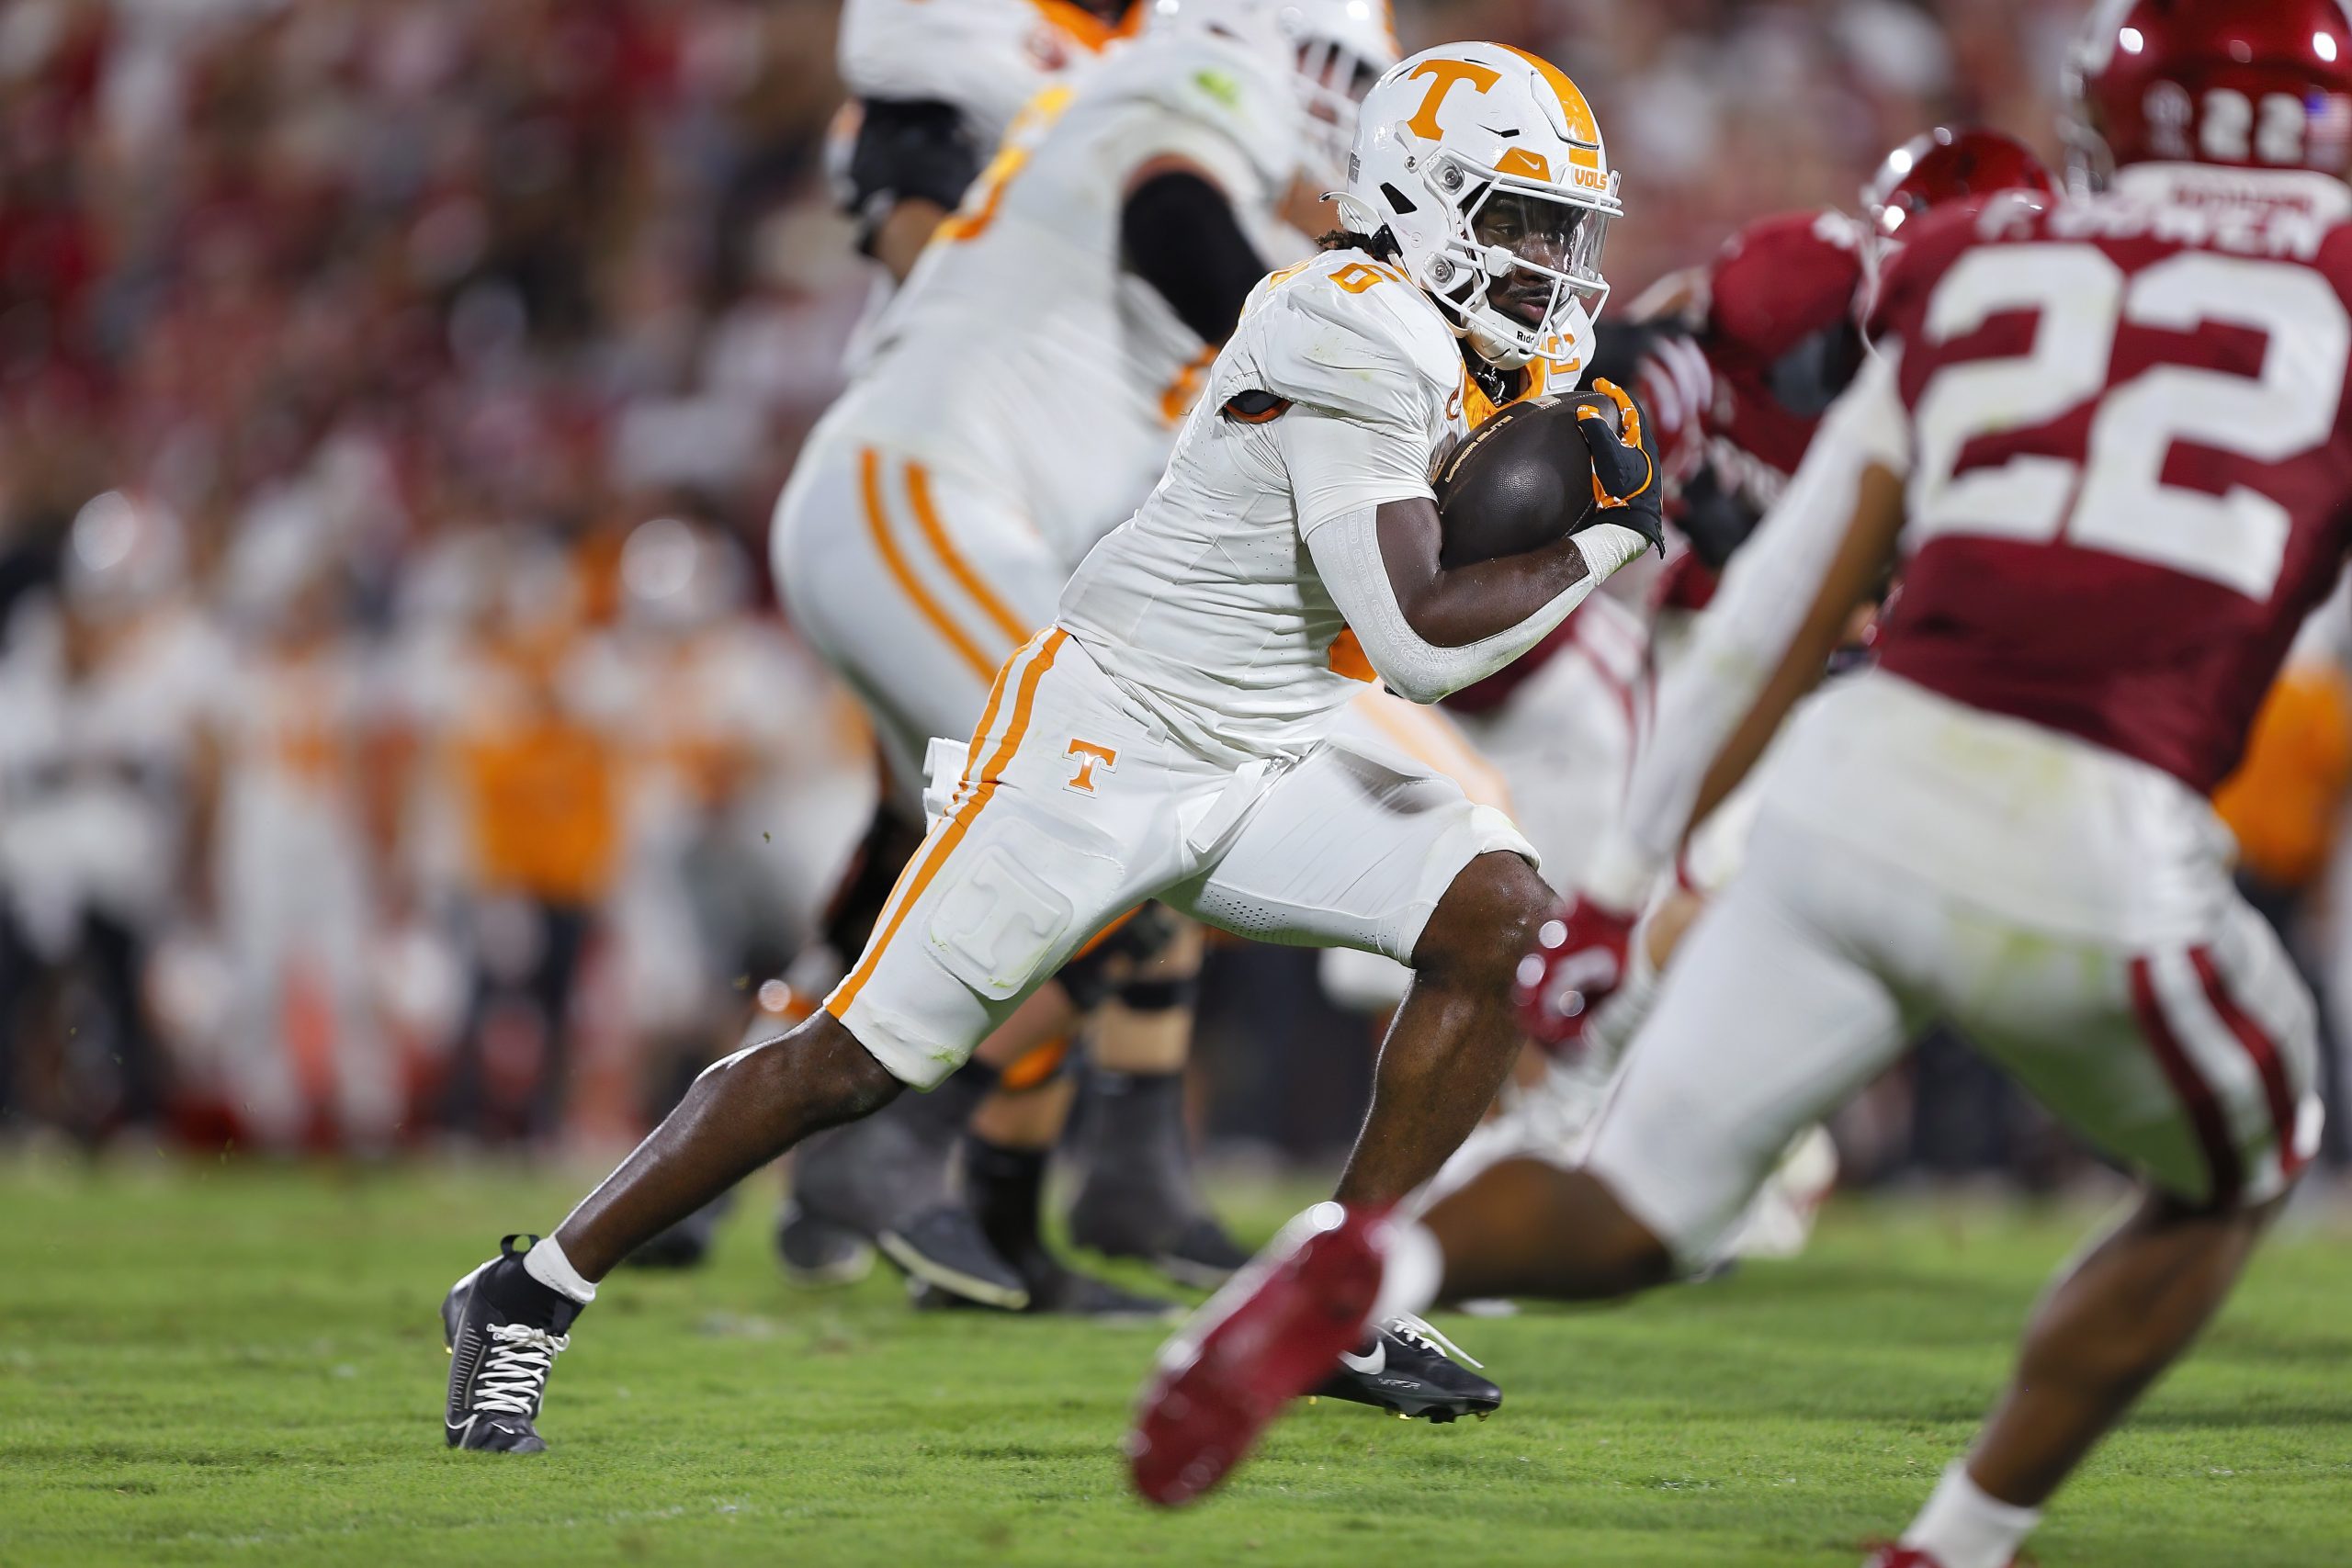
<point>1170,735</point>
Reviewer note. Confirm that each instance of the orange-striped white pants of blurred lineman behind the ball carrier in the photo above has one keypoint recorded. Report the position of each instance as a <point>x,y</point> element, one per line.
<point>914,582</point>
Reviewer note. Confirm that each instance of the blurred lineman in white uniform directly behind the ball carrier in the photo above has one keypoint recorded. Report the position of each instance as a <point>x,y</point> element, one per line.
<point>928,532</point>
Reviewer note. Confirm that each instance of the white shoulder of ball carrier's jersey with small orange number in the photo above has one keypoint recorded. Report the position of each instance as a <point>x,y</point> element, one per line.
<point>1354,337</point>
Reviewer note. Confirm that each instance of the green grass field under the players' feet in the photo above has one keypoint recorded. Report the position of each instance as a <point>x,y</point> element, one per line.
<point>215,1365</point>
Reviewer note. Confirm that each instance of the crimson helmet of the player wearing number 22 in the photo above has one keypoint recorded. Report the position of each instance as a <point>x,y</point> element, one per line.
<point>2212,81</point>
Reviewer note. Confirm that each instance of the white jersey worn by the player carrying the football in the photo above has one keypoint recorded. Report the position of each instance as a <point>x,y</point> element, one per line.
<point>1205,605</point>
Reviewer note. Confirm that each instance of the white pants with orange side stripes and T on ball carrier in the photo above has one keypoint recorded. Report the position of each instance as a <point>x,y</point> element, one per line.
<point>1074,805</point>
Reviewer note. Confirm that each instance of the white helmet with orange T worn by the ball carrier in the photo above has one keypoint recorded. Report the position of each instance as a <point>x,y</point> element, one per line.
<point>1485,163</point>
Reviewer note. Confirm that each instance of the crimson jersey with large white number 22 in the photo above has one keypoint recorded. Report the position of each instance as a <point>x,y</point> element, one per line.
<point>2132,471</point>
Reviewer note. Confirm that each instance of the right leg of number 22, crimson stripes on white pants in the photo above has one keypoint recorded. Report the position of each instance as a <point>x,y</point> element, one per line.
<point>2196,1066</point>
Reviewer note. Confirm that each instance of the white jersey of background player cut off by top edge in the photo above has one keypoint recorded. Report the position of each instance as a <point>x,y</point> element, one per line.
<point>987,58</point>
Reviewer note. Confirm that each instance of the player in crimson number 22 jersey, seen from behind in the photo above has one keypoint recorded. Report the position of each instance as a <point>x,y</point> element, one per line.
<point>2111,443</point>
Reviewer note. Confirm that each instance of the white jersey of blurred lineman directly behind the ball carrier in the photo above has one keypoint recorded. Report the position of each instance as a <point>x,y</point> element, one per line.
<point>1022,356</point>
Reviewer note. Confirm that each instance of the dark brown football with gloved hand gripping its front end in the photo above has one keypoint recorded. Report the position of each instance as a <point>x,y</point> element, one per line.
<point>1544,469</point>
